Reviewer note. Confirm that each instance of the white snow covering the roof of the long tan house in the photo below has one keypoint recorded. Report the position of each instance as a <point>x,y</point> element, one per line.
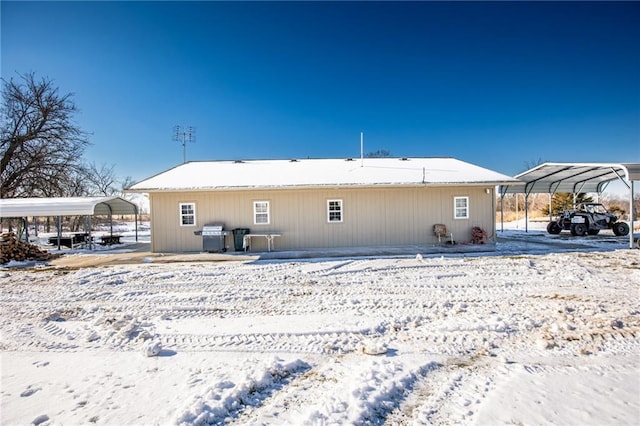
<point>260,174</point>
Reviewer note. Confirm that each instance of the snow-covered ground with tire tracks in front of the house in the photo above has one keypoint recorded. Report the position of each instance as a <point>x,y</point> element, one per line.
<point>527,334</point>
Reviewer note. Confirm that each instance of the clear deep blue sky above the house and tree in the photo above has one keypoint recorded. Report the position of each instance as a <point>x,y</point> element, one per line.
<point>498,84</point>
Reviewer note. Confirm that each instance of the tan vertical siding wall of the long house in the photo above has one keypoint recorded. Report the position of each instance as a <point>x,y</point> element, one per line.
<point>371,216</point>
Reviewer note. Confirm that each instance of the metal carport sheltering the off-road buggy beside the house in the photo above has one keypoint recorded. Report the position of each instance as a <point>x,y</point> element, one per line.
<point>549,178</point>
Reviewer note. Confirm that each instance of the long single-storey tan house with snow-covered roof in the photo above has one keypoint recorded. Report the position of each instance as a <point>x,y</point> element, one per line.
<point>321,203</point>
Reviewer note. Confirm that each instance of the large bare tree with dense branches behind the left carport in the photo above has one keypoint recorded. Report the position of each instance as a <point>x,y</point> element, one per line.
<point>40,146</point>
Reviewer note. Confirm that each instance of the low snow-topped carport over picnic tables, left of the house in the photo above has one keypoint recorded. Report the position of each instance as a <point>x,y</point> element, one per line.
<point>68,206</point>
